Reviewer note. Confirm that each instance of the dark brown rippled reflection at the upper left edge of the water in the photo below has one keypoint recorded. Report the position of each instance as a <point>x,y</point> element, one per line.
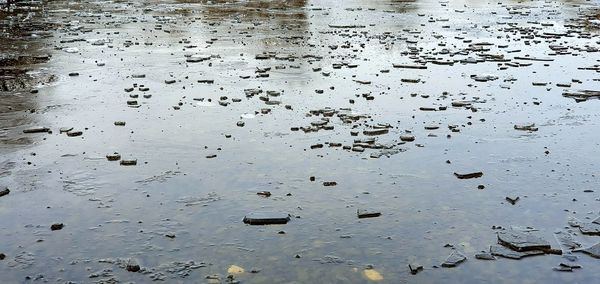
<point>23,33</point>
